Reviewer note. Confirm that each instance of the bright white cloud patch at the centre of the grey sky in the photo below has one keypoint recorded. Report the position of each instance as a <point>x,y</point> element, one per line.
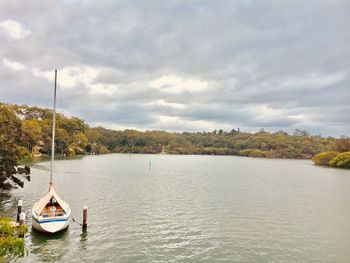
<point>176,84</point>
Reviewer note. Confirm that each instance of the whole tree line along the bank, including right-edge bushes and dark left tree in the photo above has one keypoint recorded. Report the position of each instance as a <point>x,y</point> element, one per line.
<point>25,132</point>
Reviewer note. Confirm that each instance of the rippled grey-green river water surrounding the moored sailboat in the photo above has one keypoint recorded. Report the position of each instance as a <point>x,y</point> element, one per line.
<point>160,208</point>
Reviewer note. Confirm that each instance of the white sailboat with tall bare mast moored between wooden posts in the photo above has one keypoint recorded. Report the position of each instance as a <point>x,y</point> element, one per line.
<point>51,214</point>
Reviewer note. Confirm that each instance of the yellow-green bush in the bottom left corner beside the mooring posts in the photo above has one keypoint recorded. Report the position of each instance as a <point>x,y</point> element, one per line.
<point>10,241</point>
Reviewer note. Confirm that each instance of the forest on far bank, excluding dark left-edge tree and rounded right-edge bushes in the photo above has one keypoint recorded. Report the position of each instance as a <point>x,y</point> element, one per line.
<point>75,137</point>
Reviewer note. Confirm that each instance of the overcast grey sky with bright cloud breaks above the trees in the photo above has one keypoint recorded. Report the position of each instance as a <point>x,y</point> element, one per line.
<point>182,65</point>
